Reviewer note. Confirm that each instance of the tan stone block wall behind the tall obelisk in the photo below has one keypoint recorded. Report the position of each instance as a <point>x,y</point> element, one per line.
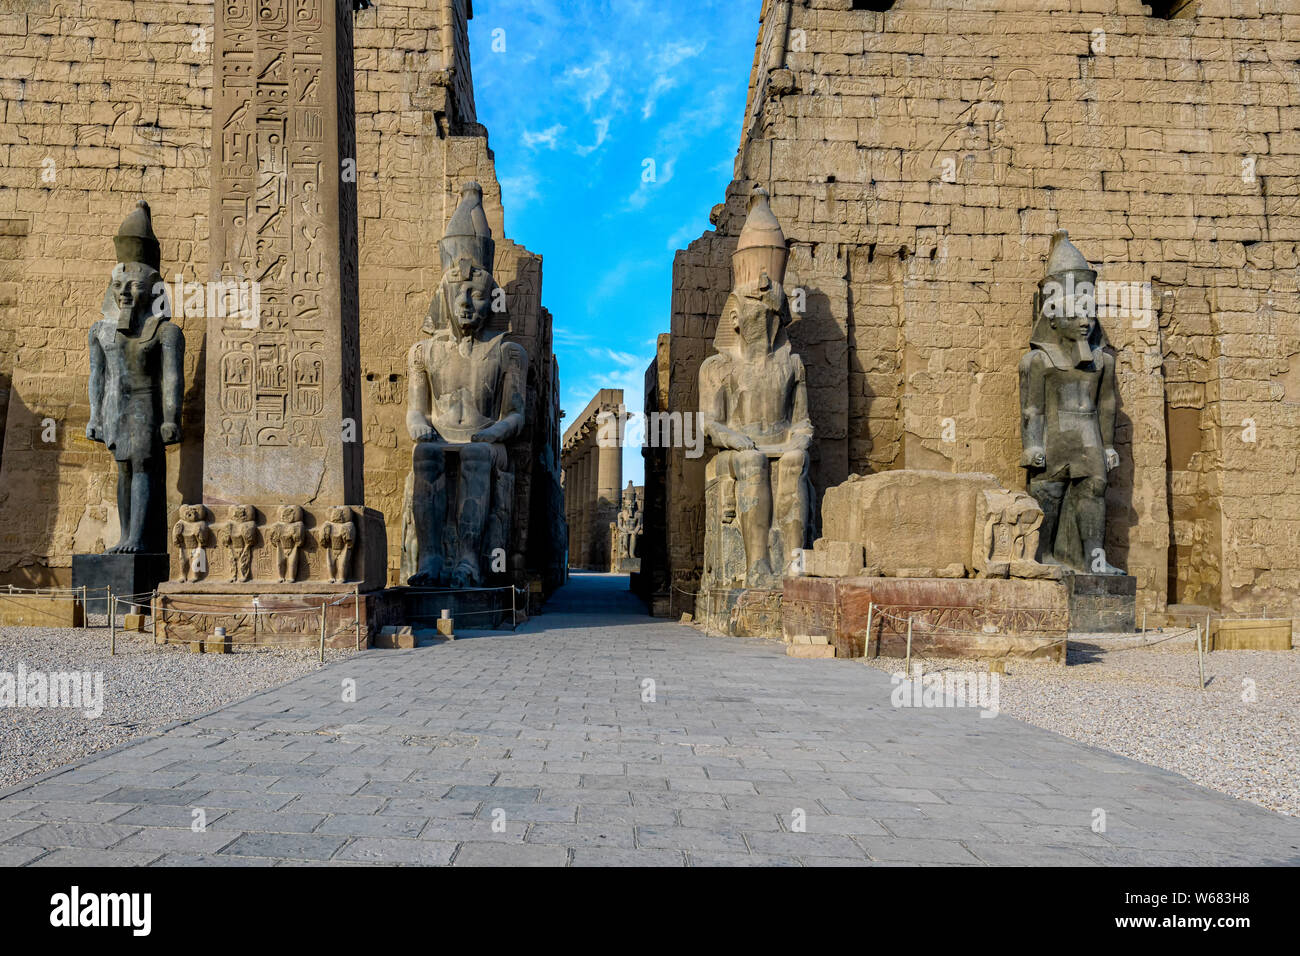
<point>114,97</point>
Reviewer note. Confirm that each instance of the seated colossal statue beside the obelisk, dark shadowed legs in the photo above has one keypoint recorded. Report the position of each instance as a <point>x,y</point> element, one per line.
<point>465,406</point>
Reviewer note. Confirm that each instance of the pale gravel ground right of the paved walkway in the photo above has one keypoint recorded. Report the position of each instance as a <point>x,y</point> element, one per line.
<point>1143,703</point>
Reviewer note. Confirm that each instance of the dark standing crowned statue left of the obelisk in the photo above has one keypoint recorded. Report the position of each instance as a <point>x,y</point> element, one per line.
<point>137,379</point>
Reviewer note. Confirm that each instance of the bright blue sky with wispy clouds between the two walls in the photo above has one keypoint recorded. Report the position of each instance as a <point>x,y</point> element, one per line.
<point>584,94</point>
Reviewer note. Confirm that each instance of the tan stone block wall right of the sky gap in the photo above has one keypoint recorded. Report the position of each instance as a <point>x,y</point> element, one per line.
<point>920,161</point>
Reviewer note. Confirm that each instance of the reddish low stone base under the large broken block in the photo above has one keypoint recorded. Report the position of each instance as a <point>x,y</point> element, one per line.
<point>965,617</point>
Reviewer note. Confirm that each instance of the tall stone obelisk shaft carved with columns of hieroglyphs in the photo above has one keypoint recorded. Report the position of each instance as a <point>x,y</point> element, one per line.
<point>283,396</point>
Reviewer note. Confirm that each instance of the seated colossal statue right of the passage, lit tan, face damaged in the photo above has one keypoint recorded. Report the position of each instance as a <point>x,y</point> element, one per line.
<point>753,408</point>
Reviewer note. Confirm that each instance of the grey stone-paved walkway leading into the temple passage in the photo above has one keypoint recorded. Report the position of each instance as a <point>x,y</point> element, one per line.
<point>545,734</point>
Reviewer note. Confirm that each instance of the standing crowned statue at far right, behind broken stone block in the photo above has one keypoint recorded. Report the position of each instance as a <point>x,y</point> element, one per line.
<point>1068,414</point>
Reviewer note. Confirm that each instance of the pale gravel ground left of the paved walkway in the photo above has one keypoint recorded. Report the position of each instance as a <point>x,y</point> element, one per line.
<point>145,687</point>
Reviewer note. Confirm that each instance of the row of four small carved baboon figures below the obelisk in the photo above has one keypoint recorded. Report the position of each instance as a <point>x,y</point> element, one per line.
<point>240,534</point>
